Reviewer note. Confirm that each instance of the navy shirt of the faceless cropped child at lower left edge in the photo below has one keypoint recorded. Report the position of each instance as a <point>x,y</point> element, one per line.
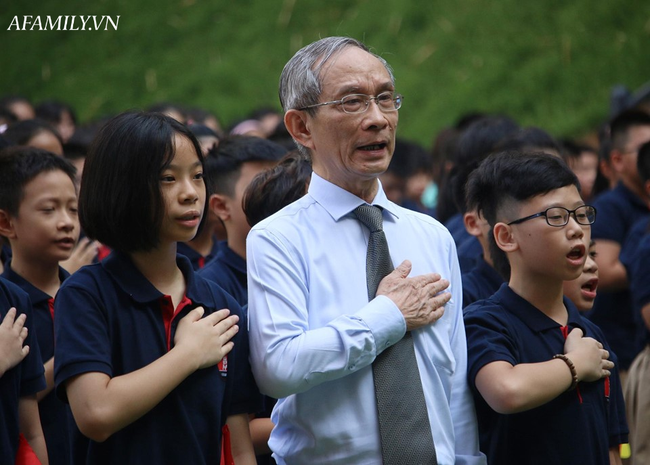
<point>25,379</point>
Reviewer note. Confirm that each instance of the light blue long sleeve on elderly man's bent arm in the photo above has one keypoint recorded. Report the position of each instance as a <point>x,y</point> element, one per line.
<point>287,355</point>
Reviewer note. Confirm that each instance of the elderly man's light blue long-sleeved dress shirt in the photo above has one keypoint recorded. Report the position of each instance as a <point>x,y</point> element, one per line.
<point>314,335</point>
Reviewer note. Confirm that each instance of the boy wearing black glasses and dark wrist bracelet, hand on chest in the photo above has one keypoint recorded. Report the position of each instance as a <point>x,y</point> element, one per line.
<point>544,381</point>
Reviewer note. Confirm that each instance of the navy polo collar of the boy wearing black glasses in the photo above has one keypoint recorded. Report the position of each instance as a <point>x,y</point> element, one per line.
<point>535,319</point>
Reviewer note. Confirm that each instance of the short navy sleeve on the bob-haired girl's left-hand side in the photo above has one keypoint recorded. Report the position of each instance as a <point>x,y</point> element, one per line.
<point>81,335</point>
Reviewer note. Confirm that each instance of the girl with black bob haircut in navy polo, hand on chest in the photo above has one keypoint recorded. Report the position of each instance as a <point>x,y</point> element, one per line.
<point>152,358</point>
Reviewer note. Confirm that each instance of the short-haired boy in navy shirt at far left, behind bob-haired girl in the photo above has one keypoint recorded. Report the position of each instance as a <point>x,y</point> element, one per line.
<point>38,215</point>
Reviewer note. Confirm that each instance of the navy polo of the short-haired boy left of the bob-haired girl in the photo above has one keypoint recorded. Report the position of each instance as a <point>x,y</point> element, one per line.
<point>54,413</point>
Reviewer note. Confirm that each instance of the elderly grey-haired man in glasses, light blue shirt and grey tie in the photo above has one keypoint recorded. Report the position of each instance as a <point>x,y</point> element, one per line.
<point>367,370</point>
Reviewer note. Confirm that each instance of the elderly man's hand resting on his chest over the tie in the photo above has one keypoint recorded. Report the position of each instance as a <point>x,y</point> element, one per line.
<point>417,297</point>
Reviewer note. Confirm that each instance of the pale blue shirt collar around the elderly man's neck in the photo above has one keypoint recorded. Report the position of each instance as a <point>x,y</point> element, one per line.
<point>338,202</point>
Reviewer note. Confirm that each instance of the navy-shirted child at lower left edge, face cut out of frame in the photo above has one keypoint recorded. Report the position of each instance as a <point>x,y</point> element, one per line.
<point>21,377</point>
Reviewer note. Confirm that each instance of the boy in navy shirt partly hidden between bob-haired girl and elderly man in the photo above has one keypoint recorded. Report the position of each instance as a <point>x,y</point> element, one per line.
<point>229,171</point>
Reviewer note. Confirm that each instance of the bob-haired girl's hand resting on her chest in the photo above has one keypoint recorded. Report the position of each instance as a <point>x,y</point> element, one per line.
<point>207,340</point>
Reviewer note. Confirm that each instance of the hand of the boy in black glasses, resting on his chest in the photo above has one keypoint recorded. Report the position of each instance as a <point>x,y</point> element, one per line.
<point>588,355</point>
